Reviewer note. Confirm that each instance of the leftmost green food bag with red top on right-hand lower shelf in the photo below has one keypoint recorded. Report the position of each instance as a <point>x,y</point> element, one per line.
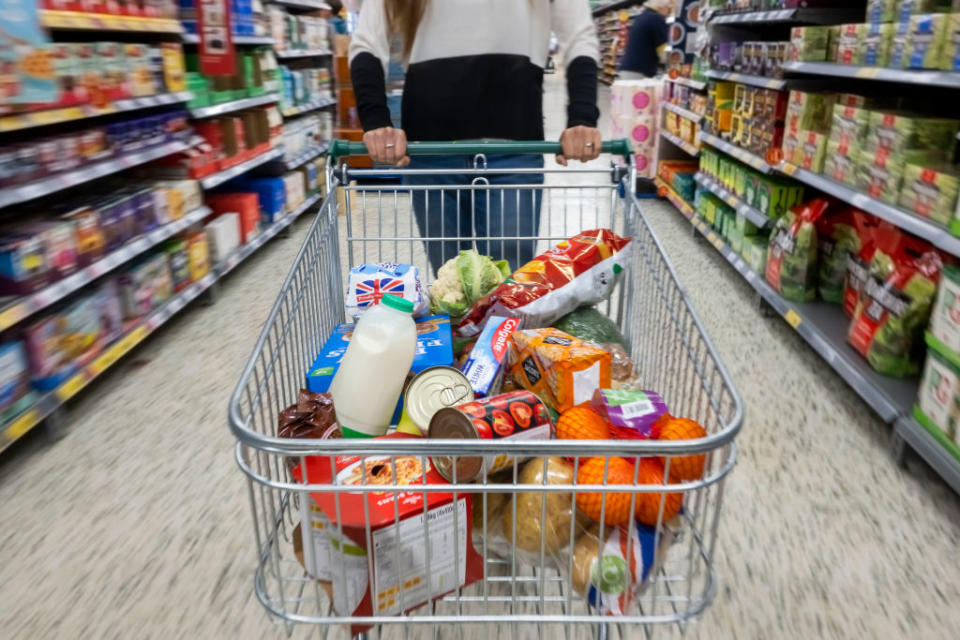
<point>792,253</point>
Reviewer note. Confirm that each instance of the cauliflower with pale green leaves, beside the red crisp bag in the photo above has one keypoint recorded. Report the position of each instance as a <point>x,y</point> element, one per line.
<point>463,280</point>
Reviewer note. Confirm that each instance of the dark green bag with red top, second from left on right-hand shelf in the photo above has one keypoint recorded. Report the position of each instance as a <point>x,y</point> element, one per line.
<point>839,236</point>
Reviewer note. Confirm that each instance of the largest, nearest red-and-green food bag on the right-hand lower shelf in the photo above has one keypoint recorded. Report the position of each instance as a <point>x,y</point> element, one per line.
<point>894,307</point>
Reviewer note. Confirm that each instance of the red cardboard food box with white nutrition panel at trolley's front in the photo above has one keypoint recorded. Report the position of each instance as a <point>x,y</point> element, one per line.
<point>428,531</point>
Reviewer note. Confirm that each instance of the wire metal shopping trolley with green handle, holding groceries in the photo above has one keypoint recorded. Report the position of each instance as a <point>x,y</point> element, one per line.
<point>521,594</point>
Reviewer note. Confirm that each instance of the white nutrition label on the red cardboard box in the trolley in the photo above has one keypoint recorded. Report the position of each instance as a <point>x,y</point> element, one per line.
<point>401,552</point>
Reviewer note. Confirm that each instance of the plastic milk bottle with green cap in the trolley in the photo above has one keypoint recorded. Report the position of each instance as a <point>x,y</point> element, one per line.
<point>371,375</point>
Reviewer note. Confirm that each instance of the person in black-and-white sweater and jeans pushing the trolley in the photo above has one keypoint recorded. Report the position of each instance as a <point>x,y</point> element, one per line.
<point>475,72</point>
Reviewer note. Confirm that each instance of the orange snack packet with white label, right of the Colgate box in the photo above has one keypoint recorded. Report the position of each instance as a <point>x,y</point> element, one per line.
<point>564,371</point>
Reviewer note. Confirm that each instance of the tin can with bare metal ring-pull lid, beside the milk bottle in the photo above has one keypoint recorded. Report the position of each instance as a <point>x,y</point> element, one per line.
<point>429,391</point>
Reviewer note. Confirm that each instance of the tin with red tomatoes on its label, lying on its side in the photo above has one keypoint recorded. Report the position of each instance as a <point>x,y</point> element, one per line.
<point>518,415</point>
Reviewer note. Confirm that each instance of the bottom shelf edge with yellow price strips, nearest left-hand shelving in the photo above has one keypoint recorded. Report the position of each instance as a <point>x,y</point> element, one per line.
<point>47,403</point>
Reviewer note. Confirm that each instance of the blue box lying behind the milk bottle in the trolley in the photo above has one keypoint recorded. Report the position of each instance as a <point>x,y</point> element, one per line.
<point>434,348</point>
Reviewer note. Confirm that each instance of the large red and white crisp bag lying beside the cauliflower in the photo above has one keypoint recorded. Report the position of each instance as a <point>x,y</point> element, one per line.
<point>581,271</point>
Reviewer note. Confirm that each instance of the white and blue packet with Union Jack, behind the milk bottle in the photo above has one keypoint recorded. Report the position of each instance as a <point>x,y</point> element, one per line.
<point>368,283</point>
